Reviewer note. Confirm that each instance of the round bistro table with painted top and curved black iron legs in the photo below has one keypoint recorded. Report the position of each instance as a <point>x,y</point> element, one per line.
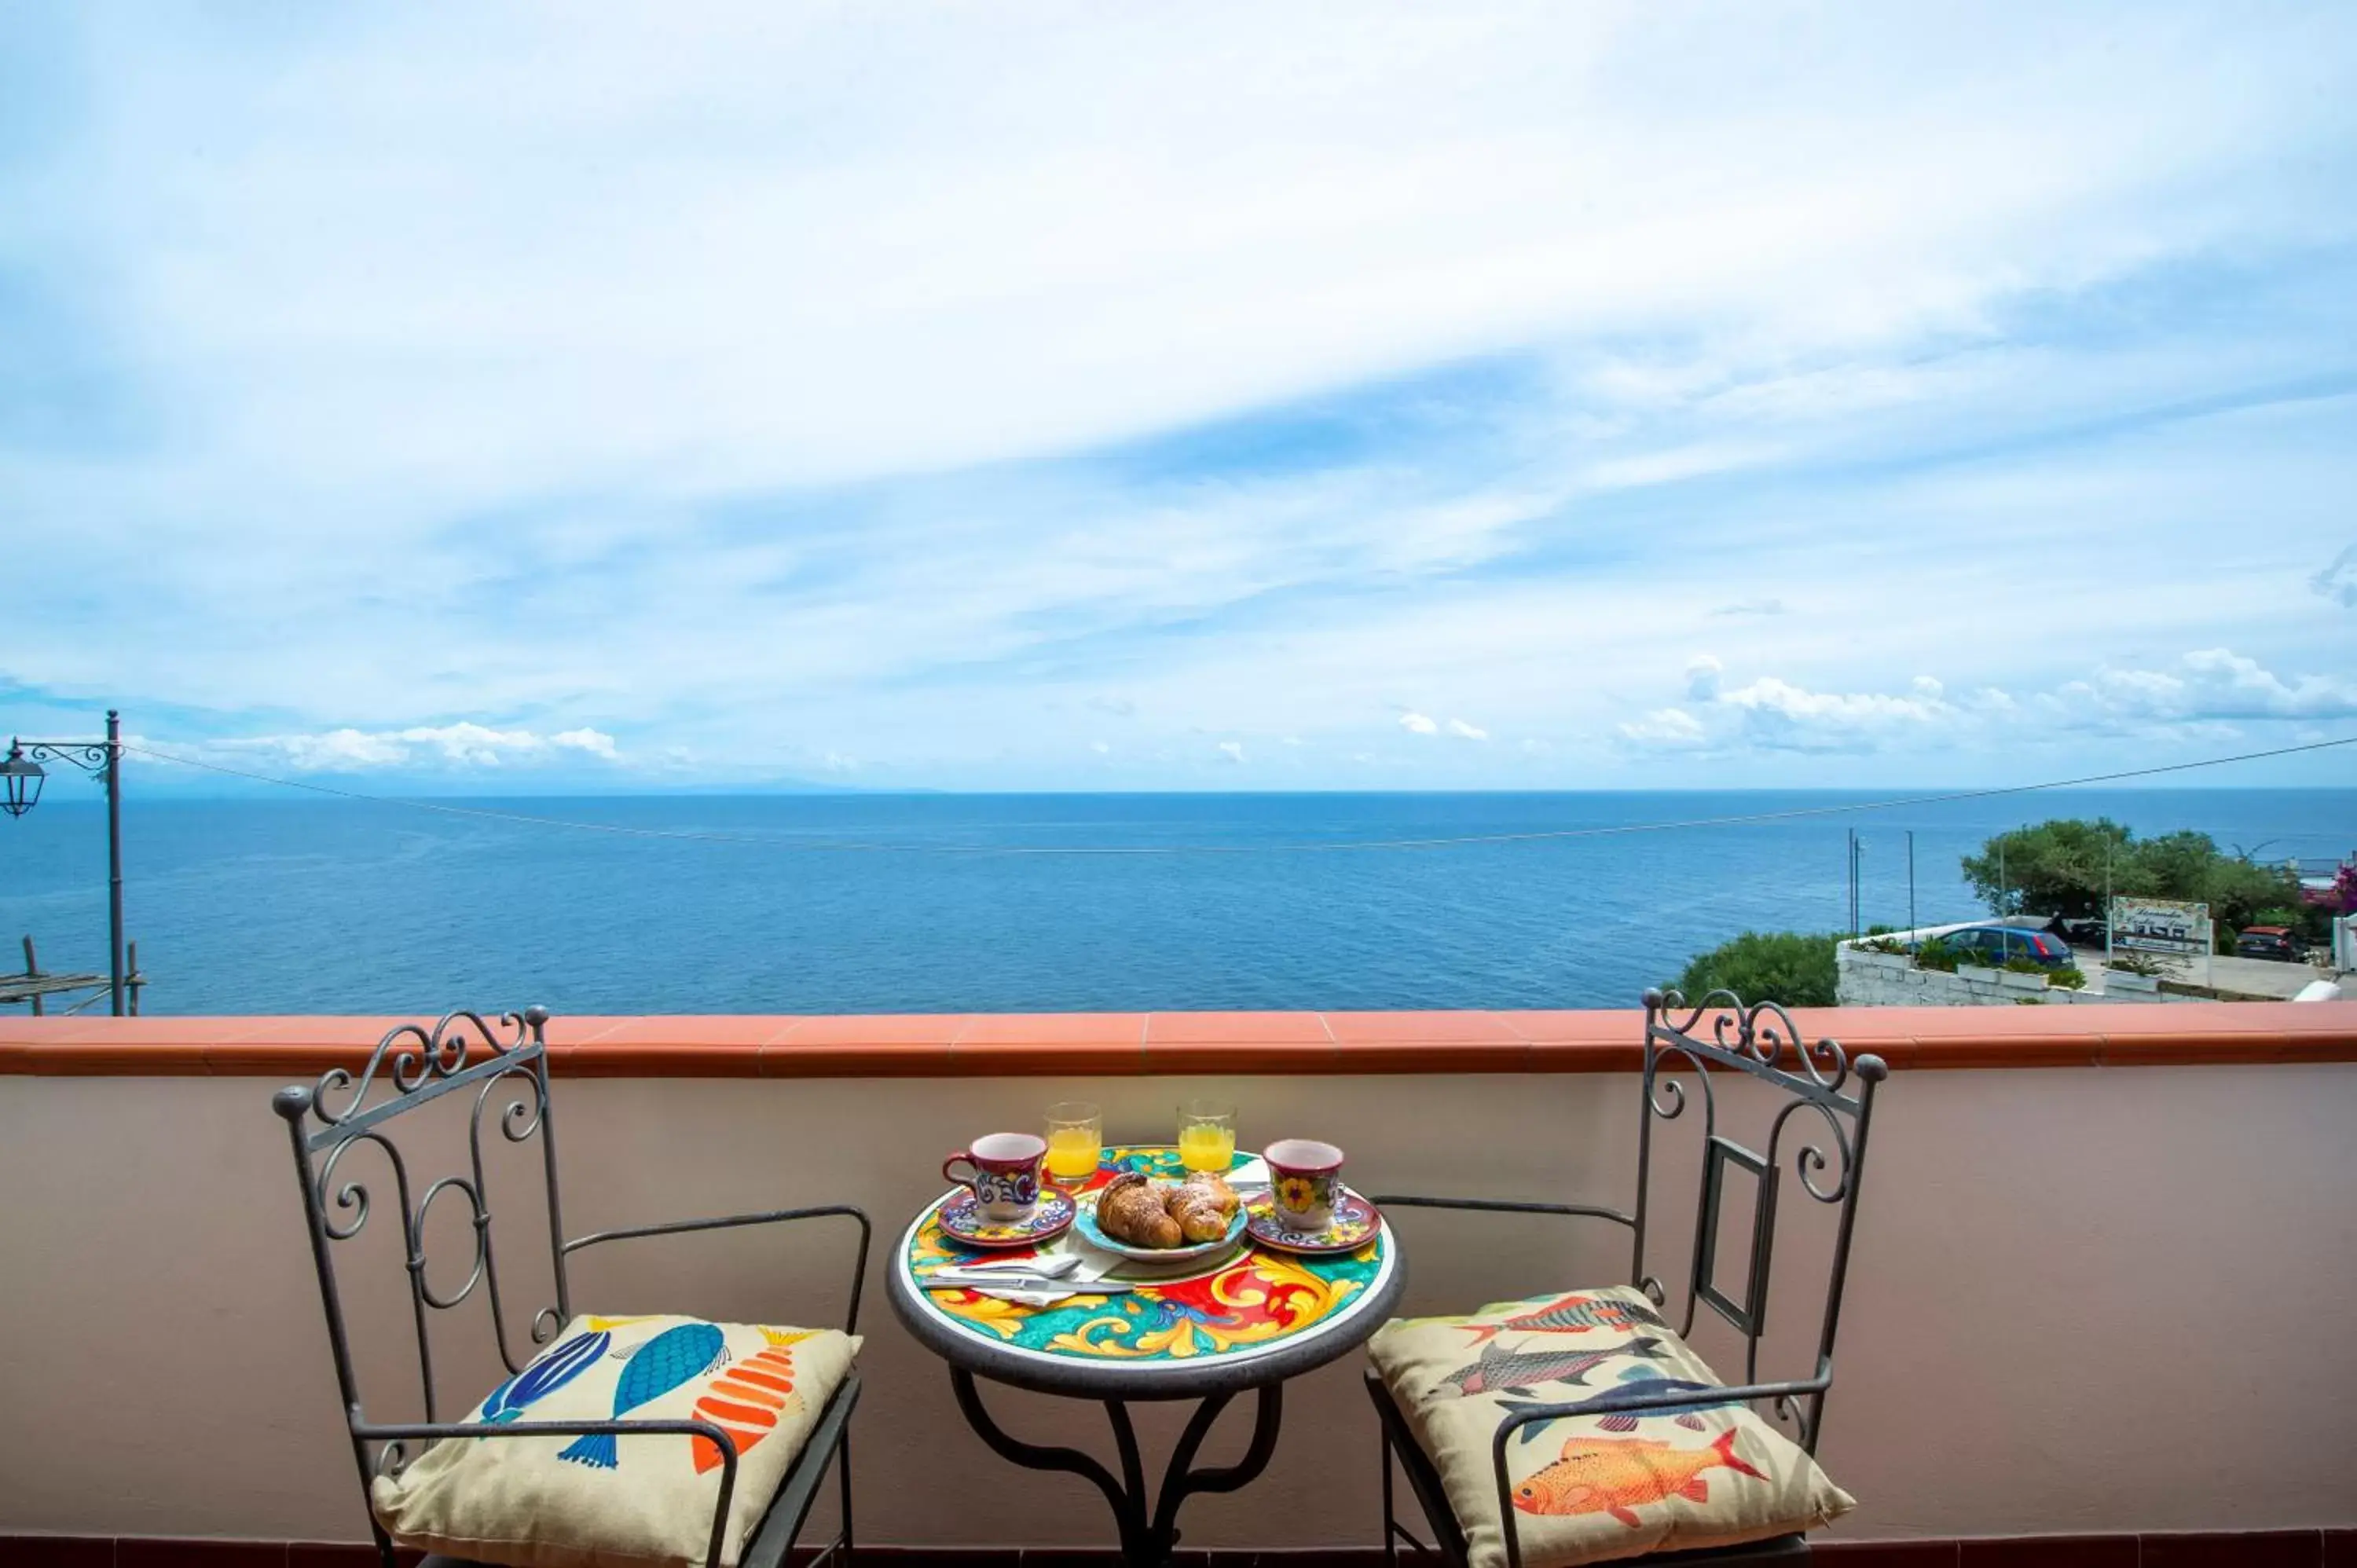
<point>1241,1324</point>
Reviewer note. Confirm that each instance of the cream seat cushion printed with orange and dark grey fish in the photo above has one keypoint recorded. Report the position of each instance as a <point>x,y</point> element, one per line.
<point>1592,1487</point>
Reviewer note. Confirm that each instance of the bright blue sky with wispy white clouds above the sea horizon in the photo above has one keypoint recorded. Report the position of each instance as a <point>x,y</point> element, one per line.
<point>1217,397</point>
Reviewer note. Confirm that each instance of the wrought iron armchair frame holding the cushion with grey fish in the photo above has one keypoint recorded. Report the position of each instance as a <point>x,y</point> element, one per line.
<point>1762,1043</point>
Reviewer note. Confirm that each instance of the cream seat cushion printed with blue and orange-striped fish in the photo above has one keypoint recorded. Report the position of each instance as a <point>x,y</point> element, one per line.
<point>638,1498</point>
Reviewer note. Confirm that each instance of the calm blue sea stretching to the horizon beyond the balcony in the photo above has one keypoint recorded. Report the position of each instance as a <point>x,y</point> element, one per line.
<point>348,907</point>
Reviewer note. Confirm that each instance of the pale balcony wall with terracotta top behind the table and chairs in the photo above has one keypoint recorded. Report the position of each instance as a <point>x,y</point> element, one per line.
<point>2097,1277</point>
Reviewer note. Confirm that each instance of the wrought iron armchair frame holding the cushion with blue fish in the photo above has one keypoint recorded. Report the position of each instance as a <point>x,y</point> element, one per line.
<point>466,1053</point>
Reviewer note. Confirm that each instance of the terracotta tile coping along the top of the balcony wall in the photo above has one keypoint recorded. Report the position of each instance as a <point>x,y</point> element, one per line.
<point>1173,1043</point>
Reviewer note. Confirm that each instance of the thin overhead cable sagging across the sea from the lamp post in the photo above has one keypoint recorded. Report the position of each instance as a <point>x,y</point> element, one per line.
<point>696,836</point>
